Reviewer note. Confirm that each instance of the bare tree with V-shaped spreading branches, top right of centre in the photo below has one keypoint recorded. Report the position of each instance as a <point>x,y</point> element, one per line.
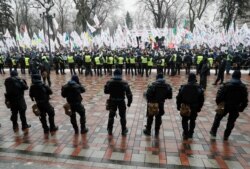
<point>160,10</point>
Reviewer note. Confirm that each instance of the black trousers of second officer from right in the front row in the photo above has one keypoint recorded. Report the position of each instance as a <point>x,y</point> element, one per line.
<point>188,129</point>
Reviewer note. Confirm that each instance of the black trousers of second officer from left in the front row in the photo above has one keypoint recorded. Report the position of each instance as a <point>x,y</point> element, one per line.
<point>46,109</point>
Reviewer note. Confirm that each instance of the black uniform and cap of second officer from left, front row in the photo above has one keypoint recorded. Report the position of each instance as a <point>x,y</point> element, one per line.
<point>40,93</point>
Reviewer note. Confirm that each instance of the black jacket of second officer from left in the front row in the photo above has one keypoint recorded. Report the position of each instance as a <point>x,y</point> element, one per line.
<point>39,91</point>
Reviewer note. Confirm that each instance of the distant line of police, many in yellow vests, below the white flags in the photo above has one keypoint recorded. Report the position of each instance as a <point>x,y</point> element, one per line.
<point>135,62</point>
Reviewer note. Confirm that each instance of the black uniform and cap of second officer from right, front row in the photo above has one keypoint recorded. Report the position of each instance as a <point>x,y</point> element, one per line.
<point>191,94</point>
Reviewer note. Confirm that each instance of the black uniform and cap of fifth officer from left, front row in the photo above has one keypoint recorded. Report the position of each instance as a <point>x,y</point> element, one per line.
<point>157,92</point>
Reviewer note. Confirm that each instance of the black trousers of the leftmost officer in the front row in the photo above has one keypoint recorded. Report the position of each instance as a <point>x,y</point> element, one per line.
<point>18,106</point>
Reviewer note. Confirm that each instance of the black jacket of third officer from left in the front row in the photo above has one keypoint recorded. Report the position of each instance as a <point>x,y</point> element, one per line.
<point>72,92</point>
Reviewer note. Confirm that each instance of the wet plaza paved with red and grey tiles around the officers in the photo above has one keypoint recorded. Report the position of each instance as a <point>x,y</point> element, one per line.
<point>96,149</point>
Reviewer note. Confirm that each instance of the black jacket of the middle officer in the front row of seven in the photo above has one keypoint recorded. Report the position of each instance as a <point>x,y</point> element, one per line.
<point>118,88</point>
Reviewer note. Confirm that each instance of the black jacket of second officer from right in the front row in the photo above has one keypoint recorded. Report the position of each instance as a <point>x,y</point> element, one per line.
<point>191,94</point>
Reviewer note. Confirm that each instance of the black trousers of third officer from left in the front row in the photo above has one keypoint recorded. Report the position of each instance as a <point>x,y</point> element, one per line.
<point>79,108</point>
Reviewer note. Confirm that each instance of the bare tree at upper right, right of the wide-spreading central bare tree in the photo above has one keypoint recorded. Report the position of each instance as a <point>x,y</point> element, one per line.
<point>196,10</point>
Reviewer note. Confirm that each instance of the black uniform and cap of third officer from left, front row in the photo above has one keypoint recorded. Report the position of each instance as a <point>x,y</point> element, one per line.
<point>72,92</point>
